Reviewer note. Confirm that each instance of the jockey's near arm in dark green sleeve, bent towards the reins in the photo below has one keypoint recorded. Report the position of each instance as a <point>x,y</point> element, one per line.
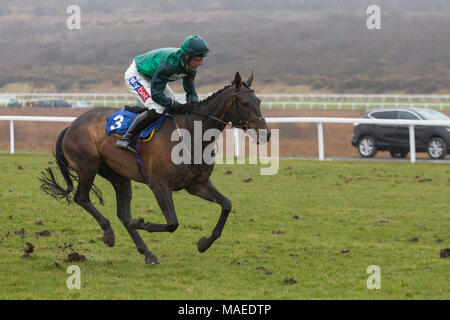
<point>158,85</point>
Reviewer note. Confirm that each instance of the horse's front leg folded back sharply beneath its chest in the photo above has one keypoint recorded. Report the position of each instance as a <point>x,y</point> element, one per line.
<point>163,196</point>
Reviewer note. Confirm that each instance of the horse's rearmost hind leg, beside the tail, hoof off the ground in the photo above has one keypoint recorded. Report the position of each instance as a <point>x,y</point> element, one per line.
<point>86,179</point>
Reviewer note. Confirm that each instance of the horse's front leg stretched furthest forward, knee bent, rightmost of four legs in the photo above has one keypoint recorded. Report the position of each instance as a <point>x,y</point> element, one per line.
<point>208,192</point>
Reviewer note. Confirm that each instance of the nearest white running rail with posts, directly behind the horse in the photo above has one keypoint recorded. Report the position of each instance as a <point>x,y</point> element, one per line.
<point>319,121</point>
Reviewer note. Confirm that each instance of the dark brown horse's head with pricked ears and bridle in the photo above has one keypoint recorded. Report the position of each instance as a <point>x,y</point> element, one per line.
<point>245,113</point>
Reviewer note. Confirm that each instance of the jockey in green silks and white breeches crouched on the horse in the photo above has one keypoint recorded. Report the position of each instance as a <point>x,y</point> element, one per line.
<point>147,79</point>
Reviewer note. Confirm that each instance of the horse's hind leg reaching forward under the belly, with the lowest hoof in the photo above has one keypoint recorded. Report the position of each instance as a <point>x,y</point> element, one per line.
<point>122,187</point>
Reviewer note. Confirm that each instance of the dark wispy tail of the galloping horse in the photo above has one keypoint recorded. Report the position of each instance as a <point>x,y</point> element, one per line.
<point>49,183</point>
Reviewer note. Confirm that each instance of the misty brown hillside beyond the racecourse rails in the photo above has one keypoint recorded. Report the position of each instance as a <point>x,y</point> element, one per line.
<point>293,46</point>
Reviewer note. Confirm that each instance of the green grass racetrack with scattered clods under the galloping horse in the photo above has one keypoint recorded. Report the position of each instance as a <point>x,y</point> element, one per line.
<point>309,232</point>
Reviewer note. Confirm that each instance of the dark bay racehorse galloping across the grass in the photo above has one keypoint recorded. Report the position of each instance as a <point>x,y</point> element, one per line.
<point>83,150</point>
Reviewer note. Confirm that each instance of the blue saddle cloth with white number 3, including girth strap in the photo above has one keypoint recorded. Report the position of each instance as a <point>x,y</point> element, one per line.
<point>119,122</point>
